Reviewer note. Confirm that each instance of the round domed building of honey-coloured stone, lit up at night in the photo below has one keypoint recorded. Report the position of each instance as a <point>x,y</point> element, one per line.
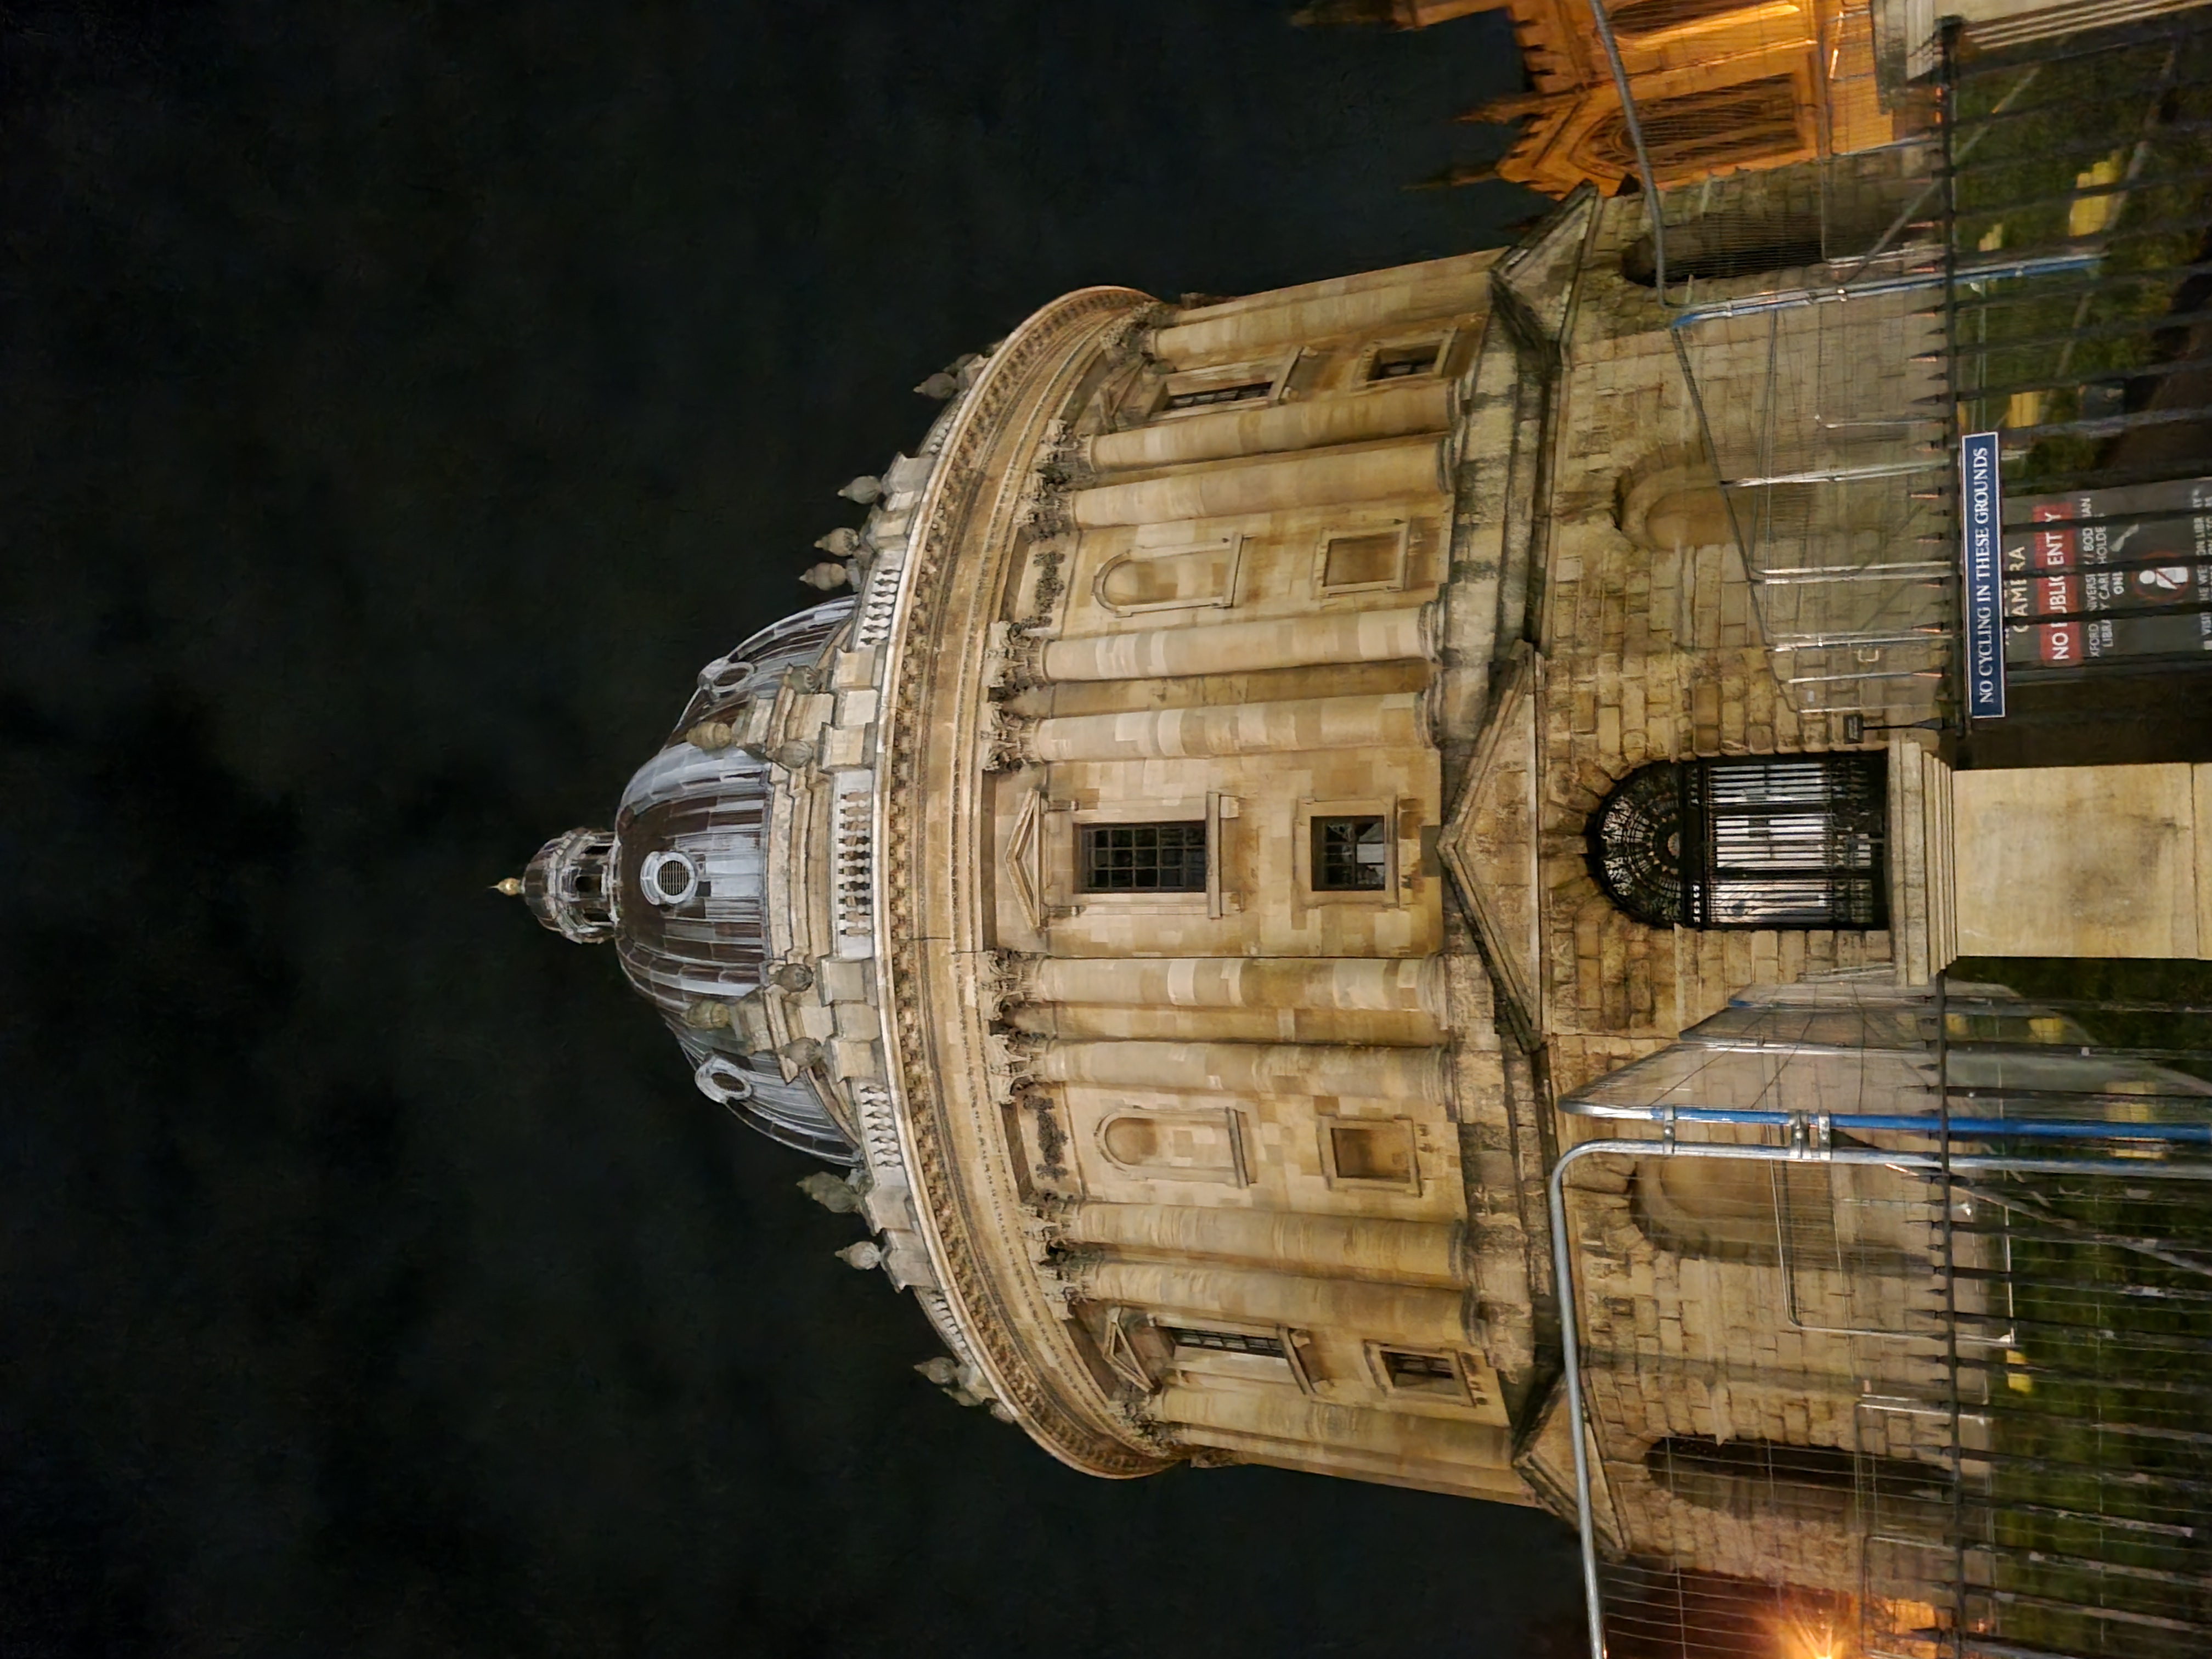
<point>1291,766</point>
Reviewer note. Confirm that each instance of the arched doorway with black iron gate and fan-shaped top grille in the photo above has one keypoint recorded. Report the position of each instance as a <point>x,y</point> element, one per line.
<point>1775,842</point>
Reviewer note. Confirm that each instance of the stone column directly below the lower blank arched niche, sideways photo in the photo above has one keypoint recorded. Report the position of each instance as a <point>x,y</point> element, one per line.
<point>1328,1246</point>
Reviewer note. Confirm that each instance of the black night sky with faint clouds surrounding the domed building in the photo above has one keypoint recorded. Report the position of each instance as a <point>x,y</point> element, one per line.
<point>401,406</point>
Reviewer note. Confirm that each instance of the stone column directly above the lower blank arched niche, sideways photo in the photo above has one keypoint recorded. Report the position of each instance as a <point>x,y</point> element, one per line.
<point>1249,1067</point>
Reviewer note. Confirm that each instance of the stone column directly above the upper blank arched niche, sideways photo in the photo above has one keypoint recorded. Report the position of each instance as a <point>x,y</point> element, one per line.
<point>1319,479</point>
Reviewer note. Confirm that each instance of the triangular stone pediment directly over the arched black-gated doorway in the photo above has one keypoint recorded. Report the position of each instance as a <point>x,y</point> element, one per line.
<point>1492,839</point>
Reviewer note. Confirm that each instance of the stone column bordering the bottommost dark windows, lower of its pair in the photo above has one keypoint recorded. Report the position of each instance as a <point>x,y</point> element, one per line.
<point>1417,1315</point>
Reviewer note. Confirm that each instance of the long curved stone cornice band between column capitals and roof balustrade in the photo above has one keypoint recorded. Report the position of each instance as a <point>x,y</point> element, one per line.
<point>932,839</point>
